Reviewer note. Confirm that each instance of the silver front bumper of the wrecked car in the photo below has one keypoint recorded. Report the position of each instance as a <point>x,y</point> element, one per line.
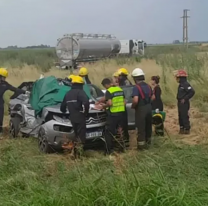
<point>59,133</point>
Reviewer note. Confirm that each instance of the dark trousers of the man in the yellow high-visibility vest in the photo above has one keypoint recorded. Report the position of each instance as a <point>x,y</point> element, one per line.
<point>112,124</point>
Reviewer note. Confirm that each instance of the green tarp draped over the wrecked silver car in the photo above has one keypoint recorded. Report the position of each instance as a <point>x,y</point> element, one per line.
<point>48,92</point>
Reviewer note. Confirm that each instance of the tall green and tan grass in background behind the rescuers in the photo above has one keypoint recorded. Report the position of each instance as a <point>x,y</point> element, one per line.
<point>167,58</point>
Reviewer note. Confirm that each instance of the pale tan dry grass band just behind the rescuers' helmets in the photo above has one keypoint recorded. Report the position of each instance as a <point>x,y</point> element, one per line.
<point>97,71</point>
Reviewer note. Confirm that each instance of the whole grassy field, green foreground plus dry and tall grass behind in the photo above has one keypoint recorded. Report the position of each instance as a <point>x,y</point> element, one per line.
<point>173,172</point>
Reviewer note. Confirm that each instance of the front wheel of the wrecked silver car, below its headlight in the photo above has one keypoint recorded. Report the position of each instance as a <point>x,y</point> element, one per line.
<point>43,142</point>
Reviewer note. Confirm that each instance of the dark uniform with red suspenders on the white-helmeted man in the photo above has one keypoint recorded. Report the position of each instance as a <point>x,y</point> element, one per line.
<point>143,113</point>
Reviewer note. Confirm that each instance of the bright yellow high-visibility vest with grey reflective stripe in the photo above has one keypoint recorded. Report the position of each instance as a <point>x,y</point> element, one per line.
<point>118,104</point>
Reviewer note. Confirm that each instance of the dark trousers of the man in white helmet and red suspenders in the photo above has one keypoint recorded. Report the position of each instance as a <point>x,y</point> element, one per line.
<point>143,120</point>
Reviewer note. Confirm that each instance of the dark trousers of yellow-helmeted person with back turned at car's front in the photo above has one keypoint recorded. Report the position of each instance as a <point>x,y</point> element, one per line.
<point>80,131</point>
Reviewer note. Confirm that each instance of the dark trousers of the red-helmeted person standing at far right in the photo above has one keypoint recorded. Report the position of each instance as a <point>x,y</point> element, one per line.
<point>183,116</point>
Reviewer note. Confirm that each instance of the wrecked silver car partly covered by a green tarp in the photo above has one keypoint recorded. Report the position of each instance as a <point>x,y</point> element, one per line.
<point>39,115</point>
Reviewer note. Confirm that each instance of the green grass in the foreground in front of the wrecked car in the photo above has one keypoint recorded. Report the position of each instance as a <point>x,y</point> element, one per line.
<point>162,176</point>
